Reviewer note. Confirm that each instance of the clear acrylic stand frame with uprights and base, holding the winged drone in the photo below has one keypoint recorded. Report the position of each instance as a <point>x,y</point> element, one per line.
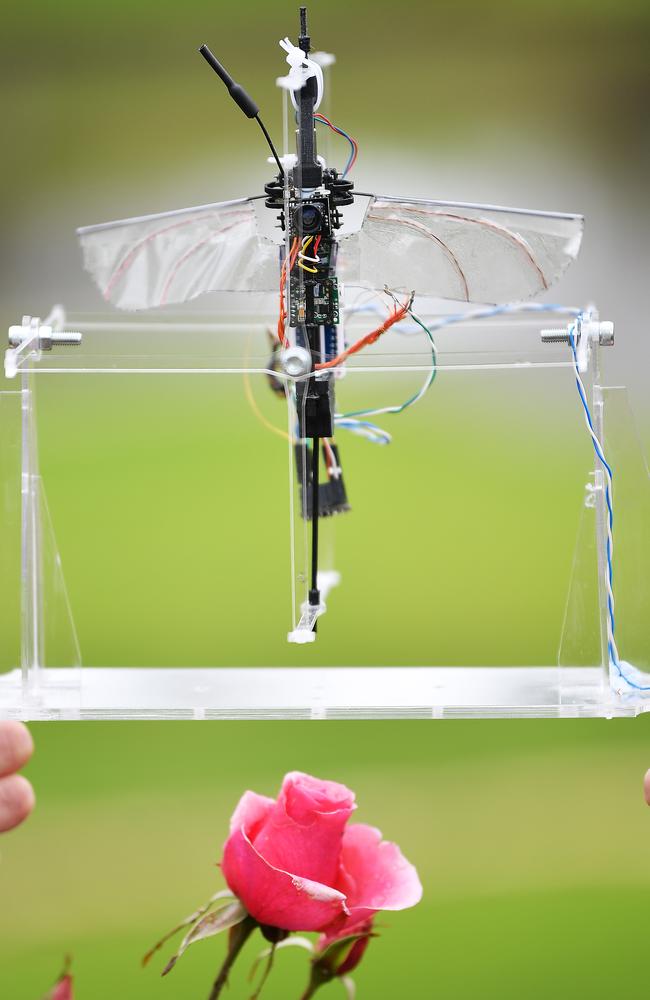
<point>481,527</point>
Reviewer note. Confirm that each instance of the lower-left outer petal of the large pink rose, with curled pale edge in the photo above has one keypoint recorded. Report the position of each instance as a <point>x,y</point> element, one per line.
<point>276,897</point>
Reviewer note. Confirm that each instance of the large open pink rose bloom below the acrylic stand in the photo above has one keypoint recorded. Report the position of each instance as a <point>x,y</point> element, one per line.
<point>295,863</point>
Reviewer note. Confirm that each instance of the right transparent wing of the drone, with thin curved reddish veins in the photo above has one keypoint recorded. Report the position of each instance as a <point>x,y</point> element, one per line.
<point>468,253</point>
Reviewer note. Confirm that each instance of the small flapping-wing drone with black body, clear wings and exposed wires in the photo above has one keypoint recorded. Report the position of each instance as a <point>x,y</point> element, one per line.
<point>486,256</point>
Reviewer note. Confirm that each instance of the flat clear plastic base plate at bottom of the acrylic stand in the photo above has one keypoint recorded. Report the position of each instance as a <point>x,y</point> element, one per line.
<point>315,693</point>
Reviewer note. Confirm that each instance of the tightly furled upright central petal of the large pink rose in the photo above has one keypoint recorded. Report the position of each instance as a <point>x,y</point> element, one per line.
<point>303,832</point>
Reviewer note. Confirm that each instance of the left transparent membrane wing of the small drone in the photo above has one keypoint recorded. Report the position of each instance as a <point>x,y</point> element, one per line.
<point>172,257</point>
